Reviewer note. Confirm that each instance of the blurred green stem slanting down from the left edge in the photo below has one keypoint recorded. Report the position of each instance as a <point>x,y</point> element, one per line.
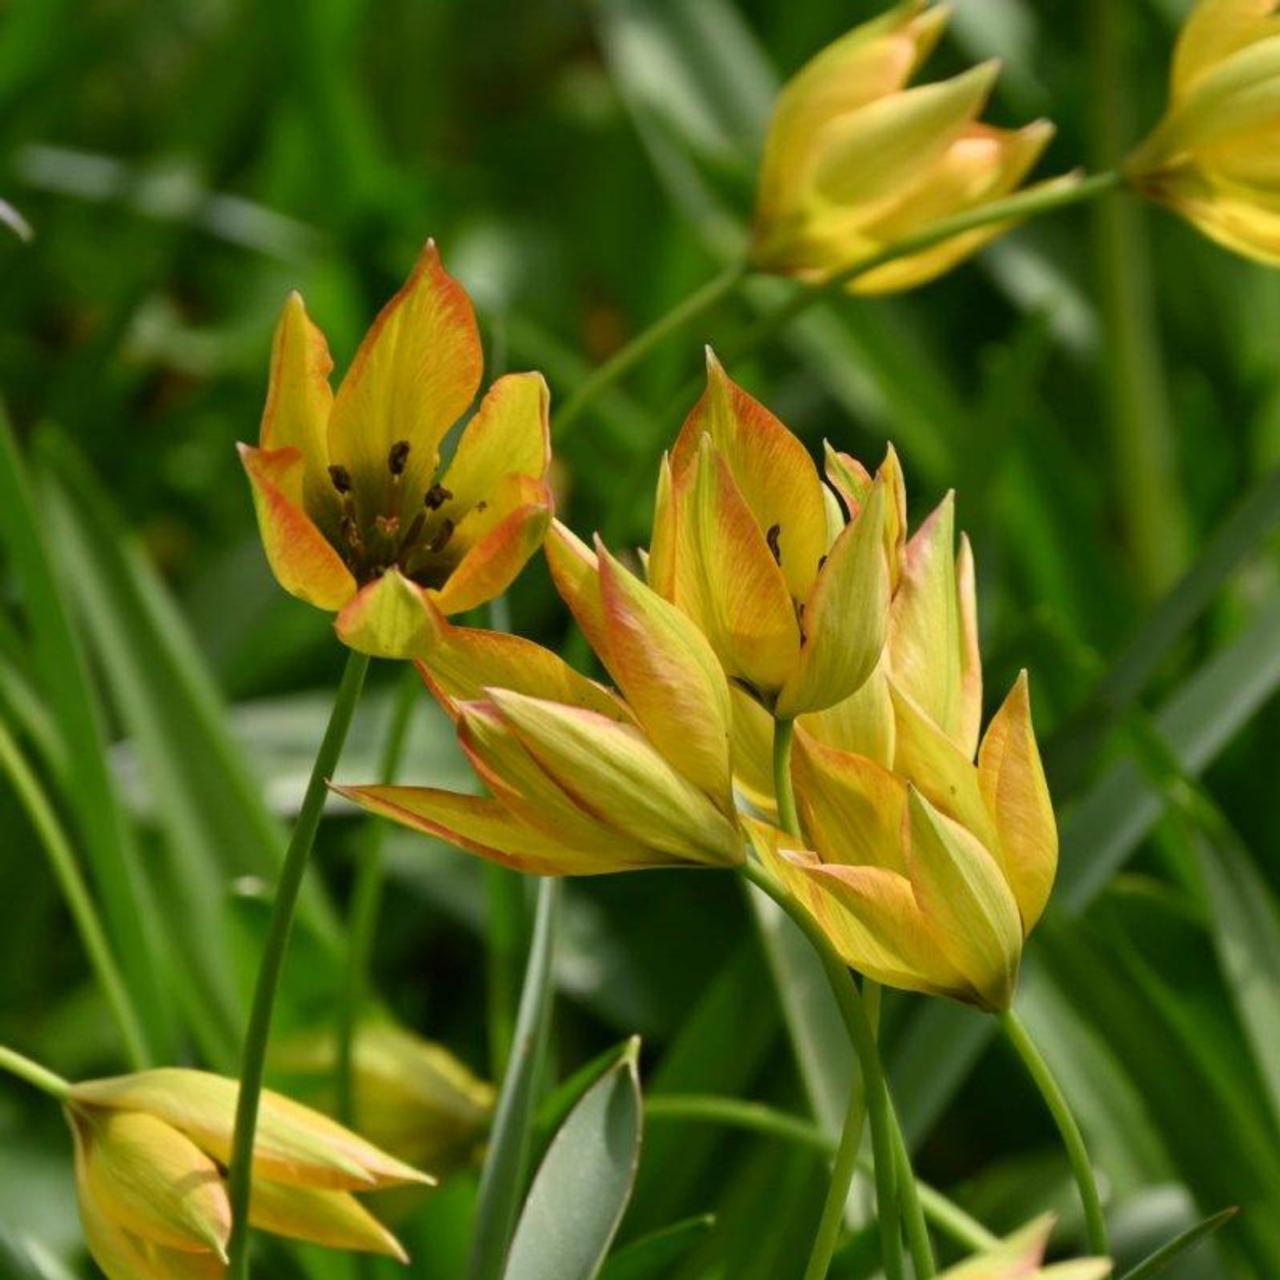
<point>80,900</point>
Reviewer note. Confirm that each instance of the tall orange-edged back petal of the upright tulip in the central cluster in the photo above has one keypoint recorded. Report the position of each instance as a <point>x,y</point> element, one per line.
<point>770,469</point>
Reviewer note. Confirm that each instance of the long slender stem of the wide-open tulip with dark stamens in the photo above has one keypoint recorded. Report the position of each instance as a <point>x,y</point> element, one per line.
<point>254,1060</point>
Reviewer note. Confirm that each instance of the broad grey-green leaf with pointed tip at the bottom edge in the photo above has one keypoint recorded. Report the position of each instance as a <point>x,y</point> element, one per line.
<point>583,1187</point>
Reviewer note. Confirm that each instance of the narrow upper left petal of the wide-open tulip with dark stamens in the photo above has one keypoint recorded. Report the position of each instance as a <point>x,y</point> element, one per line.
<point>299,401</point>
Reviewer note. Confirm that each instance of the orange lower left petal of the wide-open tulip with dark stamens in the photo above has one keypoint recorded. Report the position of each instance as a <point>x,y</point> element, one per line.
<point>300,556</point>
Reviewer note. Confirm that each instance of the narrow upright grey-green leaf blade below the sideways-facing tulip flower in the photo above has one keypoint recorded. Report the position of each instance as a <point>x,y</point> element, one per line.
<point>506,1164</point>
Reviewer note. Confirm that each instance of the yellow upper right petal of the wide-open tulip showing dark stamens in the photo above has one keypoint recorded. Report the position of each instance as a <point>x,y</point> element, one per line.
<point>510,433</point>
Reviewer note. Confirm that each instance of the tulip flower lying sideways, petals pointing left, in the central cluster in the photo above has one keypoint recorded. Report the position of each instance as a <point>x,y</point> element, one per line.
<point>582,783</point>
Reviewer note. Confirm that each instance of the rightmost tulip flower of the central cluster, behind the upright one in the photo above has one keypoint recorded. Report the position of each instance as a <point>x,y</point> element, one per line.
<point>926,868</point>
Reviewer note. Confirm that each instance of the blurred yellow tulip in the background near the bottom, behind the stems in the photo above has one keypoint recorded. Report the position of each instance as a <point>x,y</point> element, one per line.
<point>412,1098</point>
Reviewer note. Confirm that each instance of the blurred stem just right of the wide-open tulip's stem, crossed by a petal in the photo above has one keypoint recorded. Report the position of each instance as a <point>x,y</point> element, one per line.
<point>367,900</point>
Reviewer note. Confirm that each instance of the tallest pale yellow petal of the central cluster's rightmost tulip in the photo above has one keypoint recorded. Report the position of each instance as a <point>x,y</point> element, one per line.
<point>927,639</point>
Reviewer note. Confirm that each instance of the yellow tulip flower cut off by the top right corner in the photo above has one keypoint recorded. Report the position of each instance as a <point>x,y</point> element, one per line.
<point>1214,157</point>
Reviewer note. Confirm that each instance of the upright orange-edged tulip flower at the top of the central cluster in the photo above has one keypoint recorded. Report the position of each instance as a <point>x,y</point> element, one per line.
<point>749,545</point>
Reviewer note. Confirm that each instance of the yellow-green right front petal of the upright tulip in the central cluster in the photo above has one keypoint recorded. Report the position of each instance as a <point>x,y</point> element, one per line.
<point>845,616</point>
